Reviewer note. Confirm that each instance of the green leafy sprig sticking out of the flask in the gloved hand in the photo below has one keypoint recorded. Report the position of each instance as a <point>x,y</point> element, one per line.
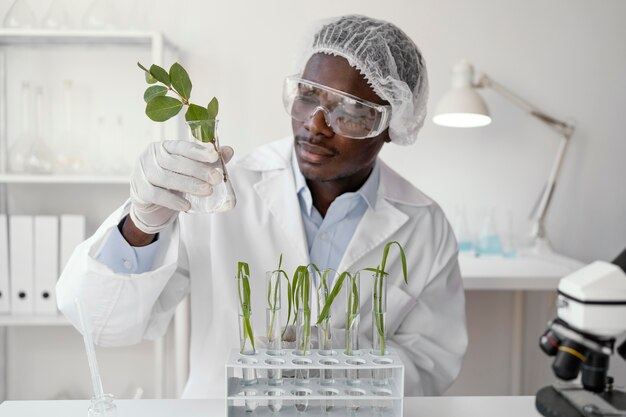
<point>161,107</point>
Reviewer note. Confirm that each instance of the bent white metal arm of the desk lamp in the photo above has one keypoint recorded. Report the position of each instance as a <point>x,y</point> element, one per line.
<point>566,131</point>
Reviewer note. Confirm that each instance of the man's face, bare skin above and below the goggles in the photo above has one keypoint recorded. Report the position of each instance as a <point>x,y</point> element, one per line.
<point>322,154</point>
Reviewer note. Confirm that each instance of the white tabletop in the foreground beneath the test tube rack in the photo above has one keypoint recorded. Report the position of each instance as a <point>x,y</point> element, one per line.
<point>413,406</point>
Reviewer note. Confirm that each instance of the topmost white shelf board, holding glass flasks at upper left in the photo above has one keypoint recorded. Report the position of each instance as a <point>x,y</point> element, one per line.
<point>80,37</point>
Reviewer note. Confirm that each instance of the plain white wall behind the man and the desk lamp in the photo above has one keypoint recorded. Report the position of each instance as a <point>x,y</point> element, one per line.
<point>565,56</point>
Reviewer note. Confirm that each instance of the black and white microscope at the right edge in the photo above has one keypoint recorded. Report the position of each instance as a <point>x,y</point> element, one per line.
<point>591,315</point>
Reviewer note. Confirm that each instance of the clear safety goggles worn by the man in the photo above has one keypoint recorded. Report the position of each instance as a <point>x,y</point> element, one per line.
<point>346,114</point>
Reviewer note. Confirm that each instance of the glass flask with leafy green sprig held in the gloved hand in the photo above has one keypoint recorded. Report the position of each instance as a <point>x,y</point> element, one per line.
<point>202,122</point>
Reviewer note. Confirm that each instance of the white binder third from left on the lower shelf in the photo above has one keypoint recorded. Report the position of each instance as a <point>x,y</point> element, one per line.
<point>46,263</point>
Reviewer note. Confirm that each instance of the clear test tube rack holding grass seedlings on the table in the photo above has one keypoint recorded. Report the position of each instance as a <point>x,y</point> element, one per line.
<point>364,384</point>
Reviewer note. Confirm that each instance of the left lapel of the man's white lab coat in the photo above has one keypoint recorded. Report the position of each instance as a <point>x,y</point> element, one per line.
<point>284,207</point>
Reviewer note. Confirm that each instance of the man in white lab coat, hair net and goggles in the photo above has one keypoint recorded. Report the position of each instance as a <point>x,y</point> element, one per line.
<point>321,196</point>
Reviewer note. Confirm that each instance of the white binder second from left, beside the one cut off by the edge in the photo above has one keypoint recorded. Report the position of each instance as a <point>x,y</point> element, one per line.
<point>21,264</point>
